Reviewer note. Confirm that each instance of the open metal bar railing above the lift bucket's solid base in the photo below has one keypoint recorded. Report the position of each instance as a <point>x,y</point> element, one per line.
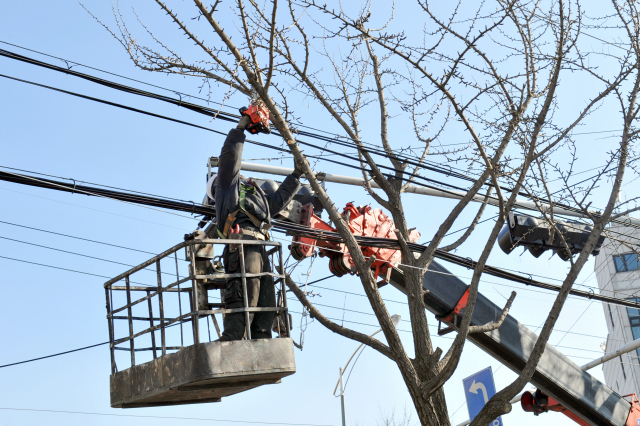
<point>161,298</point>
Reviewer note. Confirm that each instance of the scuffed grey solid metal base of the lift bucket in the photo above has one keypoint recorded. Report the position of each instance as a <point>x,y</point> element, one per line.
<point>202,373</point>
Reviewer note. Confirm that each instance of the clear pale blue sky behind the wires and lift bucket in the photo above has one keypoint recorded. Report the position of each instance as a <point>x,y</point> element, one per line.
<point>44,310</point>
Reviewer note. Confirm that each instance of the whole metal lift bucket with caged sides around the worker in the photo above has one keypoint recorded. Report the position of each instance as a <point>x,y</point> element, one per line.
<point>161,325</point>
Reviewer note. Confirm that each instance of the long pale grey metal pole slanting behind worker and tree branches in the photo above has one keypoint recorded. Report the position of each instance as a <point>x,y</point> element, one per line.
<point>350,180</point>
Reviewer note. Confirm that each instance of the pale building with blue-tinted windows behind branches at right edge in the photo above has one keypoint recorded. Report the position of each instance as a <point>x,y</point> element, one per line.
<point>618,275</point>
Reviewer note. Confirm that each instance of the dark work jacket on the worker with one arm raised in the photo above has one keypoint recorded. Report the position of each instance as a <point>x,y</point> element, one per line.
<point>227,195</point>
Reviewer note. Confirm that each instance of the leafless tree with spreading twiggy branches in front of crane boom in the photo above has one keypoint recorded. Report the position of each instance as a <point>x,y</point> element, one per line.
<point>486,73</point>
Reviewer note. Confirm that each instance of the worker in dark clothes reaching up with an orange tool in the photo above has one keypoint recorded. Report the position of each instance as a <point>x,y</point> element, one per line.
<point>244,211</point>
